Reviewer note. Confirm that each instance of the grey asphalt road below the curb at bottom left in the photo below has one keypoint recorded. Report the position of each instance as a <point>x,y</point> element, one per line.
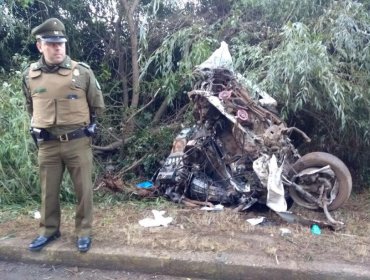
<point>17,271</point>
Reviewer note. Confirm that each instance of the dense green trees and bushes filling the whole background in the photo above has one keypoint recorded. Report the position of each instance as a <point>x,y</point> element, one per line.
<point>311,55</point>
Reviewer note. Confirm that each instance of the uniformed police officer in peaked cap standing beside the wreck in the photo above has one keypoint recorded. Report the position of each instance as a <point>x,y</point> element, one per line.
<point>62,95</point>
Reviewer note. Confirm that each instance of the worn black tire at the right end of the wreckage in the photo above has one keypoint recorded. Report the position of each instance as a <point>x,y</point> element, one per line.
<point>320,159</point>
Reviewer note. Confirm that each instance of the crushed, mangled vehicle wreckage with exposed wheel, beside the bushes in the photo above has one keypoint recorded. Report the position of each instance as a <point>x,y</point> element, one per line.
<point>239,153</point>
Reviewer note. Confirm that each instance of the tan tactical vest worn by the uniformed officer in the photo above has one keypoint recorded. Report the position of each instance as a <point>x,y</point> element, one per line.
<point>58,98</point>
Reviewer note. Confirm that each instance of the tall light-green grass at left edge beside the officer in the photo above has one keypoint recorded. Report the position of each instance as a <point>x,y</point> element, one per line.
<point>18,163</point>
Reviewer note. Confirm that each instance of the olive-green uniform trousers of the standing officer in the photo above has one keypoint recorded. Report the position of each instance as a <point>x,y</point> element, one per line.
<point>54,157</point>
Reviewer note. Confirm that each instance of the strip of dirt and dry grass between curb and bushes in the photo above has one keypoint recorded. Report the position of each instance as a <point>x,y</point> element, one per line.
<point>223,231</point>
